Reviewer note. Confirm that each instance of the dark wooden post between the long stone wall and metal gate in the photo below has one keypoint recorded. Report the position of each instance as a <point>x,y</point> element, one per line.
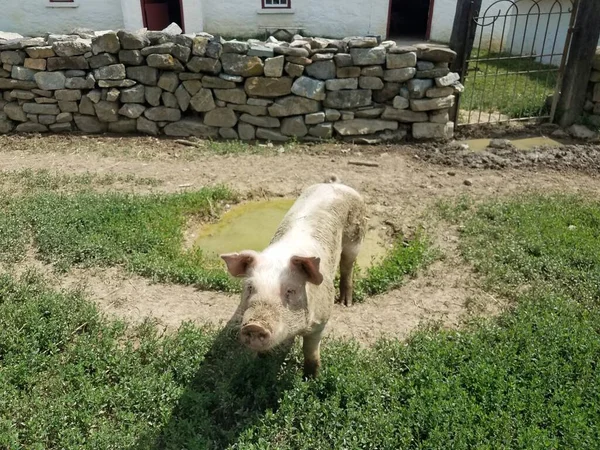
<point>462,38</point>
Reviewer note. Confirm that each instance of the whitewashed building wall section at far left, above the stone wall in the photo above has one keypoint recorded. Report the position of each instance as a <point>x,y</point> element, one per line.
<point>34,17</point>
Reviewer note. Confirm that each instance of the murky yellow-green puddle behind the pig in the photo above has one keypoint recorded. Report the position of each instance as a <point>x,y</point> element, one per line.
<point>252,225</point>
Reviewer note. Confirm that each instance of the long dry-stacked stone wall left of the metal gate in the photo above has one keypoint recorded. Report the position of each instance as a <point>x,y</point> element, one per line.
<point>198,85</point>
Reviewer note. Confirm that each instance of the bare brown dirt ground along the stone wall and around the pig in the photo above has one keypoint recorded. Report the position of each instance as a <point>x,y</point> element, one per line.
<point>400,191</point>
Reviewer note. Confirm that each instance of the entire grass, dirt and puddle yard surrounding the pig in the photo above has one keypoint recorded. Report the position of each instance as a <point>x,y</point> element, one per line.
<point>476,322</point>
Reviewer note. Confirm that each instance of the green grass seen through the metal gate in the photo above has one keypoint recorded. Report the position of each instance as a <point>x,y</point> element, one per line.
<point>494,86</point>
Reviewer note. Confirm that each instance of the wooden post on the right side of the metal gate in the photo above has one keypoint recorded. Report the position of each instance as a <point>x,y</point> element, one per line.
<point>579,64</point>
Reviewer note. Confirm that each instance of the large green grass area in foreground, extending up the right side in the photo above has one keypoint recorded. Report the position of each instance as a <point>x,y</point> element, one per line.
<point>527,380</point>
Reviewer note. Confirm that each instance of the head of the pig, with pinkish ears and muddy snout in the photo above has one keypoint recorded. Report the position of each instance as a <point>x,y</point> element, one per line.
<point>274,298</point>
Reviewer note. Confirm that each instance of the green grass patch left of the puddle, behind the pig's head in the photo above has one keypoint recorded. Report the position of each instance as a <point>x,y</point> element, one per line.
<point>141,233</point>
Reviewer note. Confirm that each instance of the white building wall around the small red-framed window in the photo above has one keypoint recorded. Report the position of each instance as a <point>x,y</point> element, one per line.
<point>337,18</point>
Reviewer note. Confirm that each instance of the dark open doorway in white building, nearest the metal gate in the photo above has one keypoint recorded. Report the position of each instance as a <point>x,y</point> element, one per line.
<point>409,19</point>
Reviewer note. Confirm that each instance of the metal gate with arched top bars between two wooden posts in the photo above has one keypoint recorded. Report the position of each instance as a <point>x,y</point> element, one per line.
<point>514,70</point>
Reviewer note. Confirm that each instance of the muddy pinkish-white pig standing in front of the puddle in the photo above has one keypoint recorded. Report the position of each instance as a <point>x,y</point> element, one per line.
<point>288,289</point>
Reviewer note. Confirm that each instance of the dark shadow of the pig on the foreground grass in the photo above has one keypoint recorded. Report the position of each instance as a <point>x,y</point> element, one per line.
<point>231,391</point>
